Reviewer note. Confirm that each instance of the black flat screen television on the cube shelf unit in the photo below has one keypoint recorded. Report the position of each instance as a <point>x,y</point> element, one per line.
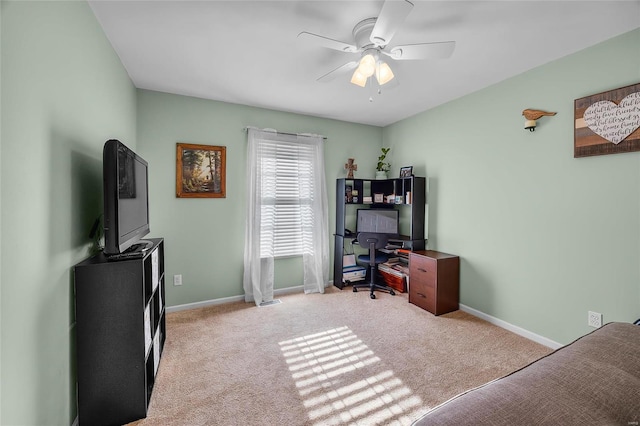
<point>126,199</point>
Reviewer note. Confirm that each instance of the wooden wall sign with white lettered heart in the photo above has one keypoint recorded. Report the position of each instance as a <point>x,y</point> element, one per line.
<point>608,122</point>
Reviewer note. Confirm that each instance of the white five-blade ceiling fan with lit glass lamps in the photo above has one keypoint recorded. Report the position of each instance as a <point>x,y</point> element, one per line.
<point>372,37</point>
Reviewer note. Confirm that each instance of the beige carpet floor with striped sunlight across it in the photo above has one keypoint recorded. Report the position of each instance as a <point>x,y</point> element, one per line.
<point>337,358</point>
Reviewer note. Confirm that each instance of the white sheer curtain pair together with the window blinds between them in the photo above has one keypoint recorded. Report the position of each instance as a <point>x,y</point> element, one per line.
<point>287,211</point>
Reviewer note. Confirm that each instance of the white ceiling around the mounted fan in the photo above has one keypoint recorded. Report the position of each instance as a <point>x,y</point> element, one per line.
<point>247,52</point>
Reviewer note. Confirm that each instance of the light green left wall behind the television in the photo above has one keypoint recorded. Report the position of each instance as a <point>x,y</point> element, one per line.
<point>64,92</point>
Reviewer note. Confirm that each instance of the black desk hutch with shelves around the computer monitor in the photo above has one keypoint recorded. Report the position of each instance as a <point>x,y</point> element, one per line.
<point>351,194</point>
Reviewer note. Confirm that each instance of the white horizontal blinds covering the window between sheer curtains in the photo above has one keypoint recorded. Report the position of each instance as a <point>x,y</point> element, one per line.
<point>286,176</point>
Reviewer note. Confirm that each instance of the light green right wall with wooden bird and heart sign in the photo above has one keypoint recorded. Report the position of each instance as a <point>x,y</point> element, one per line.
<point>543,237</point>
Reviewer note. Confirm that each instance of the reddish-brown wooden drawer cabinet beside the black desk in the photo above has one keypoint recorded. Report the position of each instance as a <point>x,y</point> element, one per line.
<point>434,283</point>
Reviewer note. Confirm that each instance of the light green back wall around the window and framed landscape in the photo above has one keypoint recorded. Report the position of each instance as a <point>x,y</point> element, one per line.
<point>204,238</point>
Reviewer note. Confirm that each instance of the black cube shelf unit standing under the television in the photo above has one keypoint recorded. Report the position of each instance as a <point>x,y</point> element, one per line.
<point>120,333</point>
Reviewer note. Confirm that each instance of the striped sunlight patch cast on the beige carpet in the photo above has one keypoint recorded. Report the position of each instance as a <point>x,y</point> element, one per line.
<point>327,368</point>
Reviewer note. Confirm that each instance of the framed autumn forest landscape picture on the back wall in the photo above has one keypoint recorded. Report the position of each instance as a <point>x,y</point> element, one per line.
<point>200,171</point>
